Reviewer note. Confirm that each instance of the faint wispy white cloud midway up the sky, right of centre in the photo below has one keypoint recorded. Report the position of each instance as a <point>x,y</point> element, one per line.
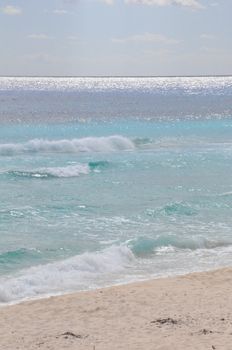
<point>147,38</point>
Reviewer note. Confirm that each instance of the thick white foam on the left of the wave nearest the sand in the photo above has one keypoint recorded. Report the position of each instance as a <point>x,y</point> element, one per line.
<point>76,273</point>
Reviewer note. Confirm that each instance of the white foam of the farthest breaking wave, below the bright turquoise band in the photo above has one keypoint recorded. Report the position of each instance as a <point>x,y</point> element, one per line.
<point>89,144</point>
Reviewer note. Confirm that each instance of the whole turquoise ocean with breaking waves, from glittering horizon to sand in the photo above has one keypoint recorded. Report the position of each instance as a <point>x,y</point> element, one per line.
<point>105,181</point>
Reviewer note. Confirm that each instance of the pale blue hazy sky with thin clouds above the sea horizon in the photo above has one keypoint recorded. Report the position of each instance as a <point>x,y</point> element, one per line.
<point>115,37</point>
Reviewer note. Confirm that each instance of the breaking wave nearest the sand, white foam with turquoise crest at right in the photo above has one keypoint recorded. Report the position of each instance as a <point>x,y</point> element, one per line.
<point>93,269</point>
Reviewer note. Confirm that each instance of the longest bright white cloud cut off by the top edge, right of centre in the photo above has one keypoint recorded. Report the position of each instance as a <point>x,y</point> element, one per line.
<point>194,4</point>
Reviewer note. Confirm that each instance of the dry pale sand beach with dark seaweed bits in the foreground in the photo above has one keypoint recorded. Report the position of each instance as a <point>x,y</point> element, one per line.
<point>187,312</point>
